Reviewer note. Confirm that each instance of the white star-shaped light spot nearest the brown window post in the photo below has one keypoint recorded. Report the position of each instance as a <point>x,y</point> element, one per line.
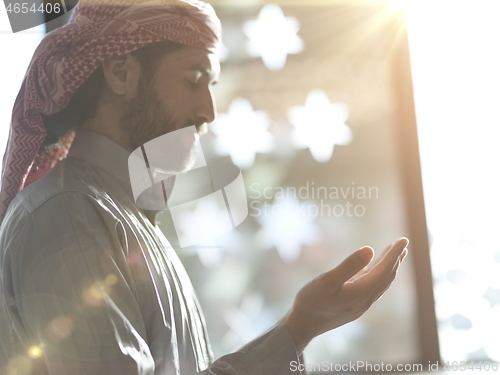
<point>319,125</point>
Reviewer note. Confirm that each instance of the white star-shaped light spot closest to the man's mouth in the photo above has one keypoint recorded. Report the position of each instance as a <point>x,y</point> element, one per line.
<point>242,132</point>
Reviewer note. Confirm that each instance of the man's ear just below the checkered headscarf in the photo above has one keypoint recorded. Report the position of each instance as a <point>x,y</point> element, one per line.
<point>122,74</point>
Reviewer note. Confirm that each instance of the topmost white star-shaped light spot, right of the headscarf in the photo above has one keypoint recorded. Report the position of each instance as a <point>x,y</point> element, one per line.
<point>273,36</point>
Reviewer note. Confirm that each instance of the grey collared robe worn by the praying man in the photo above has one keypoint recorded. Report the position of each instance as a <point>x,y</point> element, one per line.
<point>88,285</point>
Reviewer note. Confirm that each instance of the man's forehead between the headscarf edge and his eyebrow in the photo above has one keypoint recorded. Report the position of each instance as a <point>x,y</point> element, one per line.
<point>190,59</point>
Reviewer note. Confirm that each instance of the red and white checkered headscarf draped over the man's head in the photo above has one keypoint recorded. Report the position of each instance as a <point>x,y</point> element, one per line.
<point>66,57</point>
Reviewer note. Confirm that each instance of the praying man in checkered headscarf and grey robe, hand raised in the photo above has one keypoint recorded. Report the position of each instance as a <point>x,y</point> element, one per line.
<point>89,284</point>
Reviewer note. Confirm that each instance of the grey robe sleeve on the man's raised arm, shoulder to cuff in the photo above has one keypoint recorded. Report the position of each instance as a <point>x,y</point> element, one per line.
<point>69,300</point>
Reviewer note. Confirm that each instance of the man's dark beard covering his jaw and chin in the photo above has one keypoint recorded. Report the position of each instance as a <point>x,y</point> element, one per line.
<point>145,119</point>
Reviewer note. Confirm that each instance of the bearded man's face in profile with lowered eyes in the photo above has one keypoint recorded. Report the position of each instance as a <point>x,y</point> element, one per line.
<point>178,95</point>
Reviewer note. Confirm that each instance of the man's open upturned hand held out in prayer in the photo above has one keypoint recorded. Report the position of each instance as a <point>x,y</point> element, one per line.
<point>343,294</point>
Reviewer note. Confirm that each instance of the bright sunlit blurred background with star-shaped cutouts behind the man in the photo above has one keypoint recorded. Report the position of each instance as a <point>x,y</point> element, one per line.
<point>354,123</point>
